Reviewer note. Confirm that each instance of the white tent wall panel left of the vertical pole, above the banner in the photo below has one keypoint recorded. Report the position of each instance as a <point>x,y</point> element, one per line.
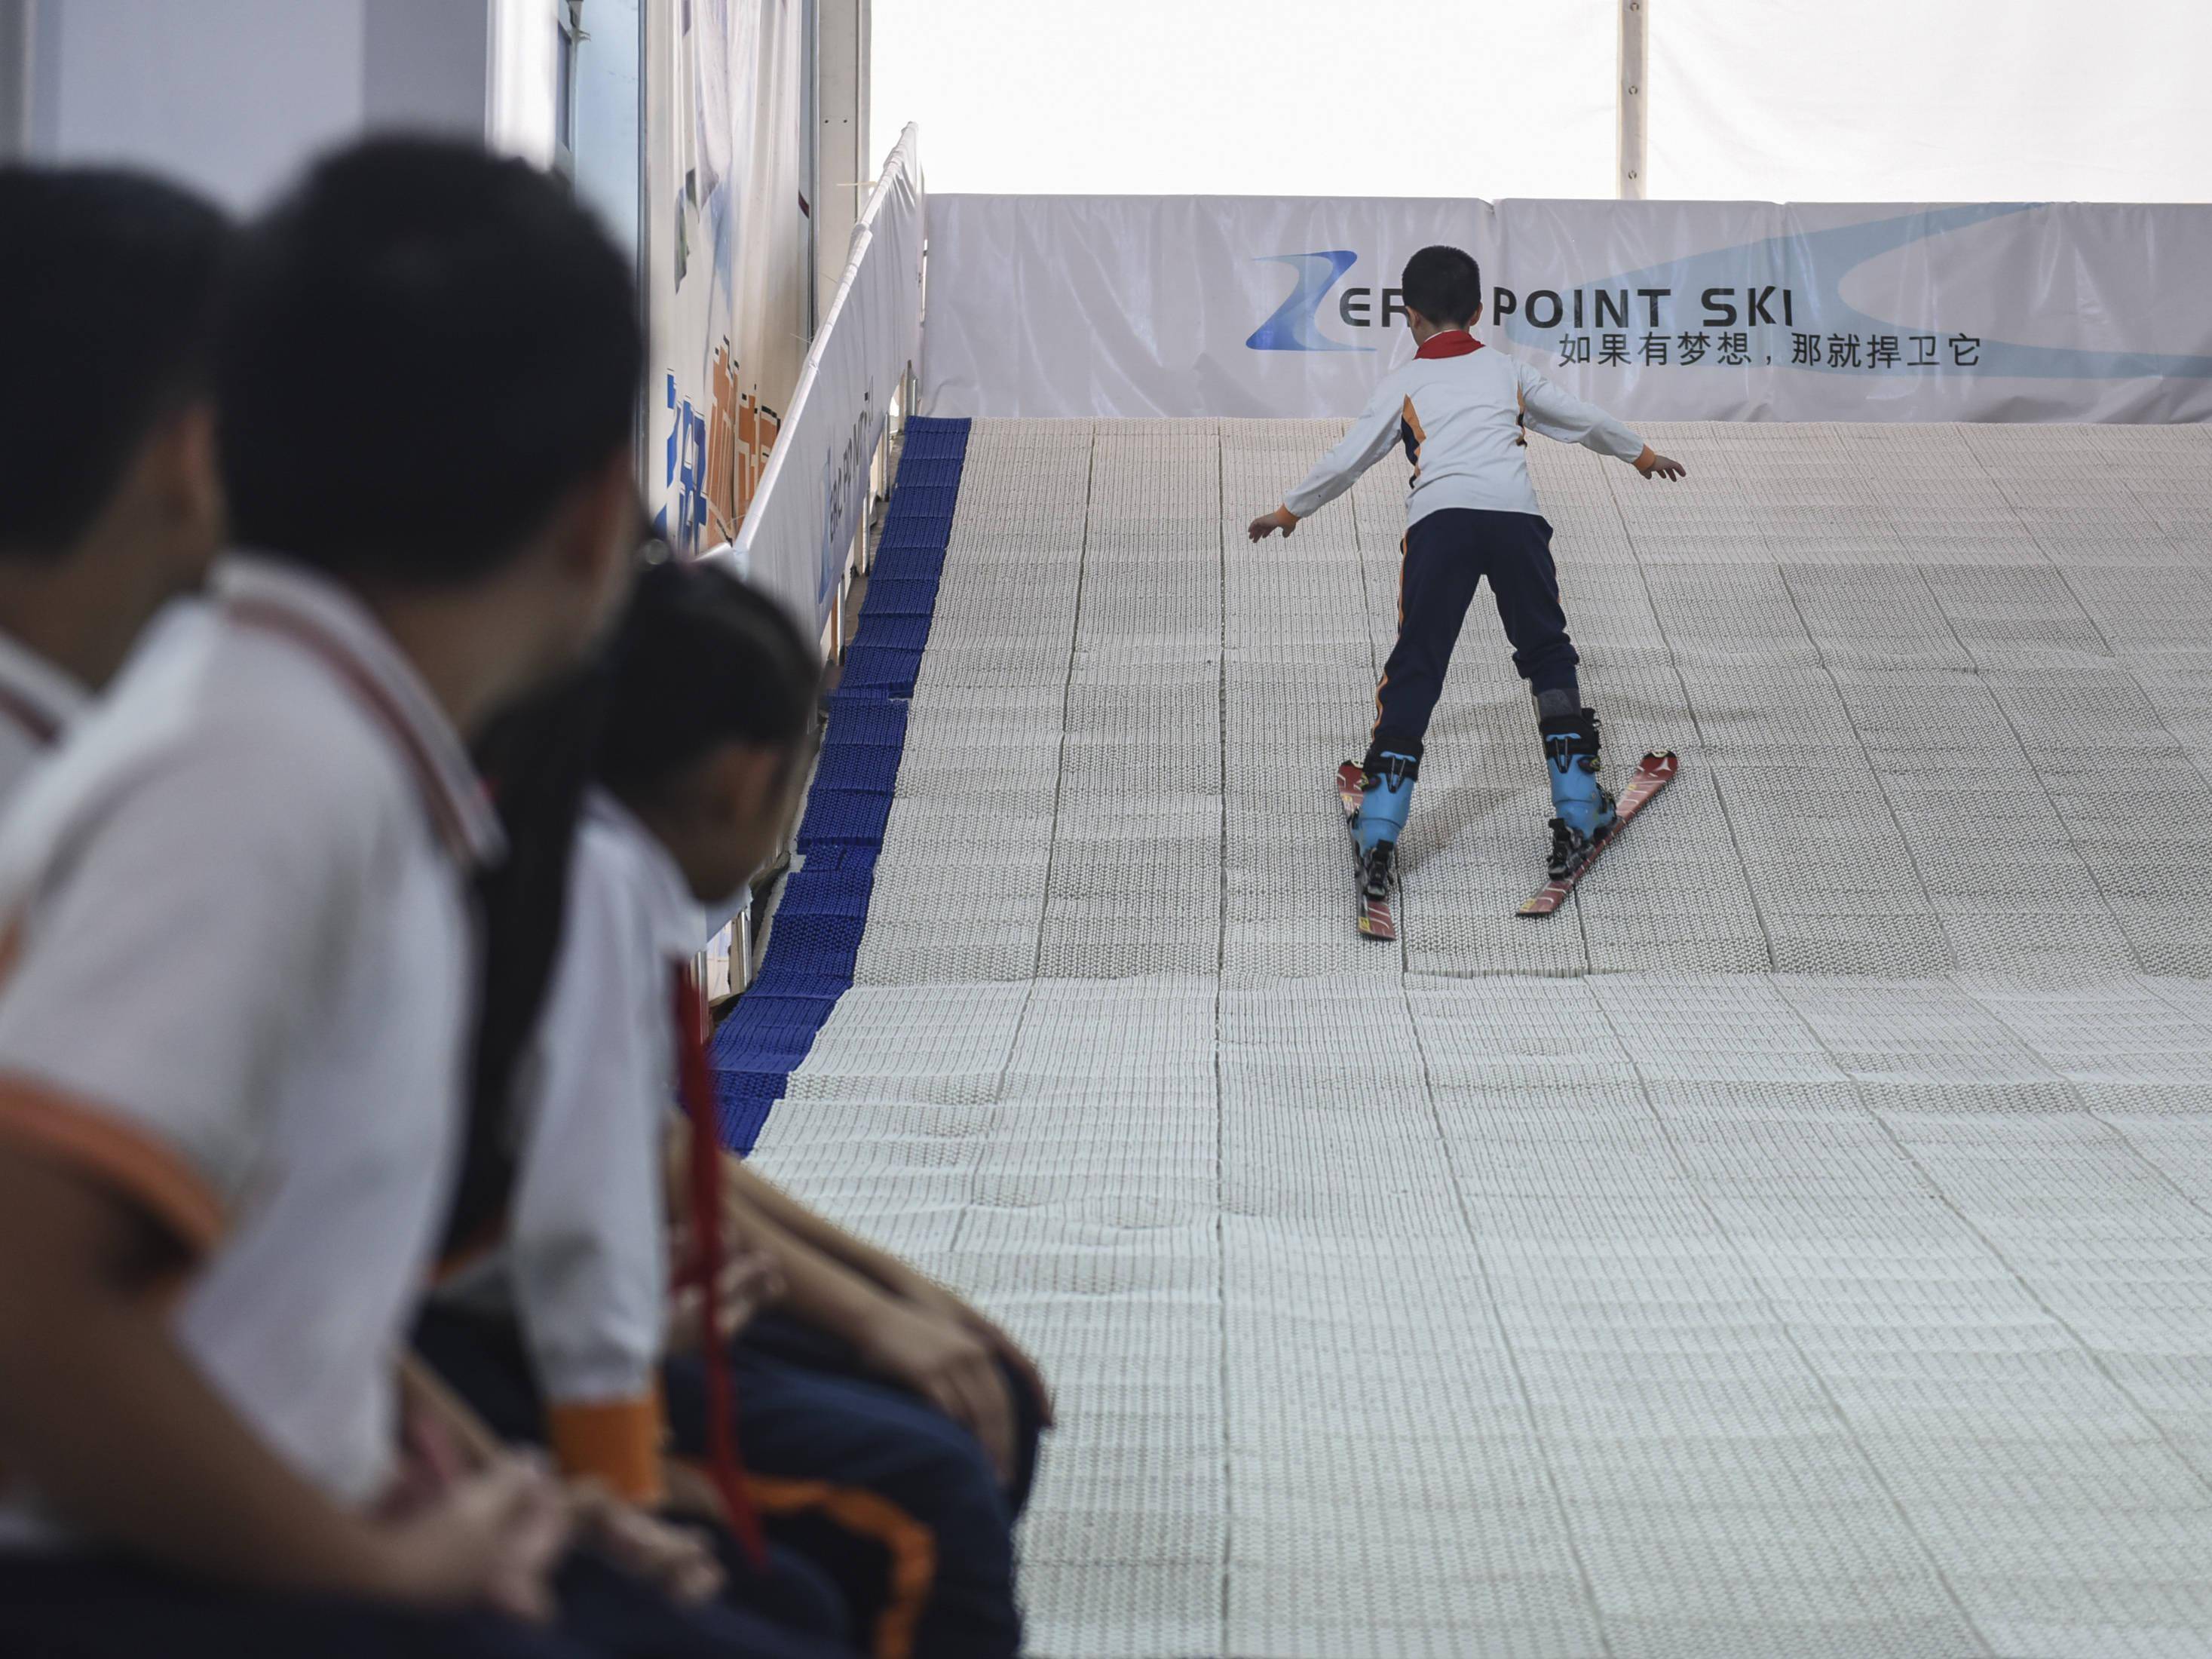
<point>1255,96</point>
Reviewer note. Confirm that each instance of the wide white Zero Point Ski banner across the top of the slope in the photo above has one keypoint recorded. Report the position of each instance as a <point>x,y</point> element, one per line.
<point>1658,311</point>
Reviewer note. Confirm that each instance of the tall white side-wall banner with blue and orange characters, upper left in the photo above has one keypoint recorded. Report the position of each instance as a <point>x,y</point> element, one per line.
<point>727,267</point>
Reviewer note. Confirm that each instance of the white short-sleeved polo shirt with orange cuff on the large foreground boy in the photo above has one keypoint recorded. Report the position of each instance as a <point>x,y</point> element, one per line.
<point>242,977</point>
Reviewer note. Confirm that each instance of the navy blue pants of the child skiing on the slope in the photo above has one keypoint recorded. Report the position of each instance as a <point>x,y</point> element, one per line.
<point>1446,559</point>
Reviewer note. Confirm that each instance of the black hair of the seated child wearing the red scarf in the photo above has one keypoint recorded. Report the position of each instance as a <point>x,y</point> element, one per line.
<point>702,660</point>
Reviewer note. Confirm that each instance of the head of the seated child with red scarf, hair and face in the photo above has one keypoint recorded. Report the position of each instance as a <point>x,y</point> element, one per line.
<point>713,702</point>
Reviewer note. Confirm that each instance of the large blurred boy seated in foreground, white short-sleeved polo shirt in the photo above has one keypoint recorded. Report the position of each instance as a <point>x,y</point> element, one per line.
<point>240,959</point>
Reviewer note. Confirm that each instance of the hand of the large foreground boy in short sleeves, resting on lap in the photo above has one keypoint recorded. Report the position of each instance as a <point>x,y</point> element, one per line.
<point>488,1541</point>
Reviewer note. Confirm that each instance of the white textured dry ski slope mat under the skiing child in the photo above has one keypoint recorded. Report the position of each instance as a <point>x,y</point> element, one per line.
<point>1797,1246</point>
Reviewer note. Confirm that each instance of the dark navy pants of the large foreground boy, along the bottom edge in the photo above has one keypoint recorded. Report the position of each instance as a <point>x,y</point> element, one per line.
<point>112,1609</point>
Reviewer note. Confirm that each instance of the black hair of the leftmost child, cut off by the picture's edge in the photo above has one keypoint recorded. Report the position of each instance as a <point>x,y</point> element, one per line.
<point>107,302</point>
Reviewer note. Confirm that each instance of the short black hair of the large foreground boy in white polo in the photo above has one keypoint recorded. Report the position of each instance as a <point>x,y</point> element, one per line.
<point>424,353</point>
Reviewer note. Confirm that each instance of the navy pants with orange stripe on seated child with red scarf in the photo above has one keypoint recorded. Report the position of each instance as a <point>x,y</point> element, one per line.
<point>879,1488</point>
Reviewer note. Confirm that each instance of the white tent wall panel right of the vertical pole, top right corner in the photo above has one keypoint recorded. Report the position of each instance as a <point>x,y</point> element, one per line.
<point>1850,101</point>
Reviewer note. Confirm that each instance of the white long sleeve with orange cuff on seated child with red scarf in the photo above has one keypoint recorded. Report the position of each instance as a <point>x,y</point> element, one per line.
<point>585,1262</point>
